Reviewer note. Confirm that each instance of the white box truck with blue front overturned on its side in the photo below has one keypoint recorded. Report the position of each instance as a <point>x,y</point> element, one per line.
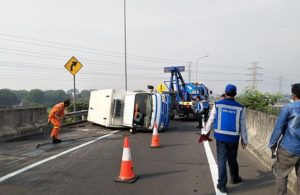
<point>136,110</point>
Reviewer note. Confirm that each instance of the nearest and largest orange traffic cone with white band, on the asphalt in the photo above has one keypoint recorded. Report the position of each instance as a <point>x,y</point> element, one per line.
<point>126,174</point>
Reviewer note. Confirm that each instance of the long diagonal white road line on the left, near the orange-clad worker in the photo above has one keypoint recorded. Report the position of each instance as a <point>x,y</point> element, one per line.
<point>5,177</point>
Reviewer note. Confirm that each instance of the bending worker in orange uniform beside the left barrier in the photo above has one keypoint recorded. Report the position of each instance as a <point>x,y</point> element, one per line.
<point>56,114</point>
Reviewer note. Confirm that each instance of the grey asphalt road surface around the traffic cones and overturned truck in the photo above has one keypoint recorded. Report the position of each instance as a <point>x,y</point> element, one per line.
<point>179,167</point>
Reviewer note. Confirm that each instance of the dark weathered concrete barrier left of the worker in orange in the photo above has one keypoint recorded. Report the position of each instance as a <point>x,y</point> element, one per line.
<point>15,122</point>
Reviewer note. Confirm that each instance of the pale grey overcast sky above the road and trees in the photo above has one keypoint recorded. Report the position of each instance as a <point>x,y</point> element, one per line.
<point>37,38</point>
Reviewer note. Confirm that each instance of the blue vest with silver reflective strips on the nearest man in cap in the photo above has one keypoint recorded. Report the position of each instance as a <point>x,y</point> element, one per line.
<point>227,121</point>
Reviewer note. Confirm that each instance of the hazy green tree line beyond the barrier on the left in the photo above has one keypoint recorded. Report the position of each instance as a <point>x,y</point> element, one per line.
<point>37,97</point>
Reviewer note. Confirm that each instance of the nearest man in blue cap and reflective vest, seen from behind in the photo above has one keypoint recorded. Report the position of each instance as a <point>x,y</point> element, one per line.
<point>228,117</point>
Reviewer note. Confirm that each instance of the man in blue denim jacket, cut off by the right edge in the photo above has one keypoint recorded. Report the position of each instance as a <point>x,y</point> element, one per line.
<point>286,139</point>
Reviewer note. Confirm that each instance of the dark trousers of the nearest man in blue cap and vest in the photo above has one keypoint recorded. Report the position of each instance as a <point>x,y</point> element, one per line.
<point>227,151</point>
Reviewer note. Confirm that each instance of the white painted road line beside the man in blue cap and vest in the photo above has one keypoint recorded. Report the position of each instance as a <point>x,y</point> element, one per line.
<point>213,167</point>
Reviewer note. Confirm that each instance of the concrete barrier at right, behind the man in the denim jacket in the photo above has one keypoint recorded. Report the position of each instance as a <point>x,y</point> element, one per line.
<point>260,127</point>
